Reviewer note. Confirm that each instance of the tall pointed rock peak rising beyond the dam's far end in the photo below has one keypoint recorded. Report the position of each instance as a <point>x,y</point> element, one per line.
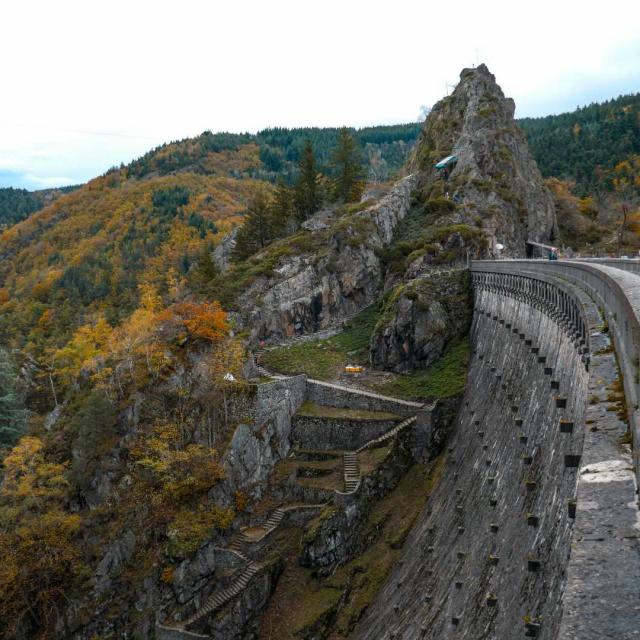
<point>495,183</point>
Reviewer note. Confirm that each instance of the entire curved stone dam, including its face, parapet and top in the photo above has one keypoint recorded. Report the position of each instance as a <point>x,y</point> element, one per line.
<point>533,531</point>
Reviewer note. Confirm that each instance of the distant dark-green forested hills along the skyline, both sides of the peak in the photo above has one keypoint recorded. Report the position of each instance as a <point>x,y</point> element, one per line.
<point>580,146</point>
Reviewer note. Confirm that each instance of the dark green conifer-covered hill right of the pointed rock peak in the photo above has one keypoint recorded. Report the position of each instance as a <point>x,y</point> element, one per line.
<point>580,144</point>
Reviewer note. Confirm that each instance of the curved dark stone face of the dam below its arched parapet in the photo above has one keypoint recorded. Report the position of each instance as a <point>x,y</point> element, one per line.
<point>498,524</point>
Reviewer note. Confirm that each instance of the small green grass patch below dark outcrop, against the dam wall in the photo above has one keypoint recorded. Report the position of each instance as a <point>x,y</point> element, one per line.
<point>445,378</point>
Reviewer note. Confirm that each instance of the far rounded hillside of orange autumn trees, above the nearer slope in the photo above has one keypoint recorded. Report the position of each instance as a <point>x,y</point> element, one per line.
<point>84,257</point>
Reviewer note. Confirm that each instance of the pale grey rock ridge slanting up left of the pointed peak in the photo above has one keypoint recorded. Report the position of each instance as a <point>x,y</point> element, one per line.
<point>337,273</point>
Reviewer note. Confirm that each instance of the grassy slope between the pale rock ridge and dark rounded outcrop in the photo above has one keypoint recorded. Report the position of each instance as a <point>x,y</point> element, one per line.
<point>325,359</point>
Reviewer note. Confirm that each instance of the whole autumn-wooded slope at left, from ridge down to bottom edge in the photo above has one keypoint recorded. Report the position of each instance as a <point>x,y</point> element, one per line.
<point>104,306</point>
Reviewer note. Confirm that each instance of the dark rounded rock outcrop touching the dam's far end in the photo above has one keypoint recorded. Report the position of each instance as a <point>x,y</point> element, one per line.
<point>421,317</point>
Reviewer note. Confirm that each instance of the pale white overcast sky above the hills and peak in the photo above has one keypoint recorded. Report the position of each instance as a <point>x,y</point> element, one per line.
<point>86,85</point>
